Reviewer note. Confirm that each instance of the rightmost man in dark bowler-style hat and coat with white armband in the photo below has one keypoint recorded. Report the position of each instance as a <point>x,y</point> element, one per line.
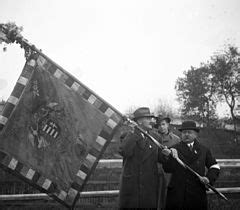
<point>186,191</point>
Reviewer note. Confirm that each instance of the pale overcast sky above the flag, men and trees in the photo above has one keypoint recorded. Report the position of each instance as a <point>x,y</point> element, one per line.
<point>129,52</point>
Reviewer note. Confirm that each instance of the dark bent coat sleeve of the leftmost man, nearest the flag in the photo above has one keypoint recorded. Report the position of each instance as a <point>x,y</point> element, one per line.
<point>127,143</point>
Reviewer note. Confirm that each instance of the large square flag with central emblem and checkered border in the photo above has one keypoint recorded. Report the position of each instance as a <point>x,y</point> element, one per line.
<point>54,129</point>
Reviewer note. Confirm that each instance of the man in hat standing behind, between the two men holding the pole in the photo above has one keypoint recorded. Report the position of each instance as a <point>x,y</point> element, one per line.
<point>168,139</point>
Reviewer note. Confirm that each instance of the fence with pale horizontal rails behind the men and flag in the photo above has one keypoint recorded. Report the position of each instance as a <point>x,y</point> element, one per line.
<point>107,199</point>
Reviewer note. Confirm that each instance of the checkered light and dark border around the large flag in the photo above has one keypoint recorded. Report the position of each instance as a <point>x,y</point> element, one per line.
<point>31,176</point>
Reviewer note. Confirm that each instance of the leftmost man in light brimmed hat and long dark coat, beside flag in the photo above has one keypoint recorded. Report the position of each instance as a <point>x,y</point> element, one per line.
<point>139,180</point>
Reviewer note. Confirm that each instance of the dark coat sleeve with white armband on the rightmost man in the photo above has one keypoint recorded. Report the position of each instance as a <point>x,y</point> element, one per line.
<point>213,168</point>
